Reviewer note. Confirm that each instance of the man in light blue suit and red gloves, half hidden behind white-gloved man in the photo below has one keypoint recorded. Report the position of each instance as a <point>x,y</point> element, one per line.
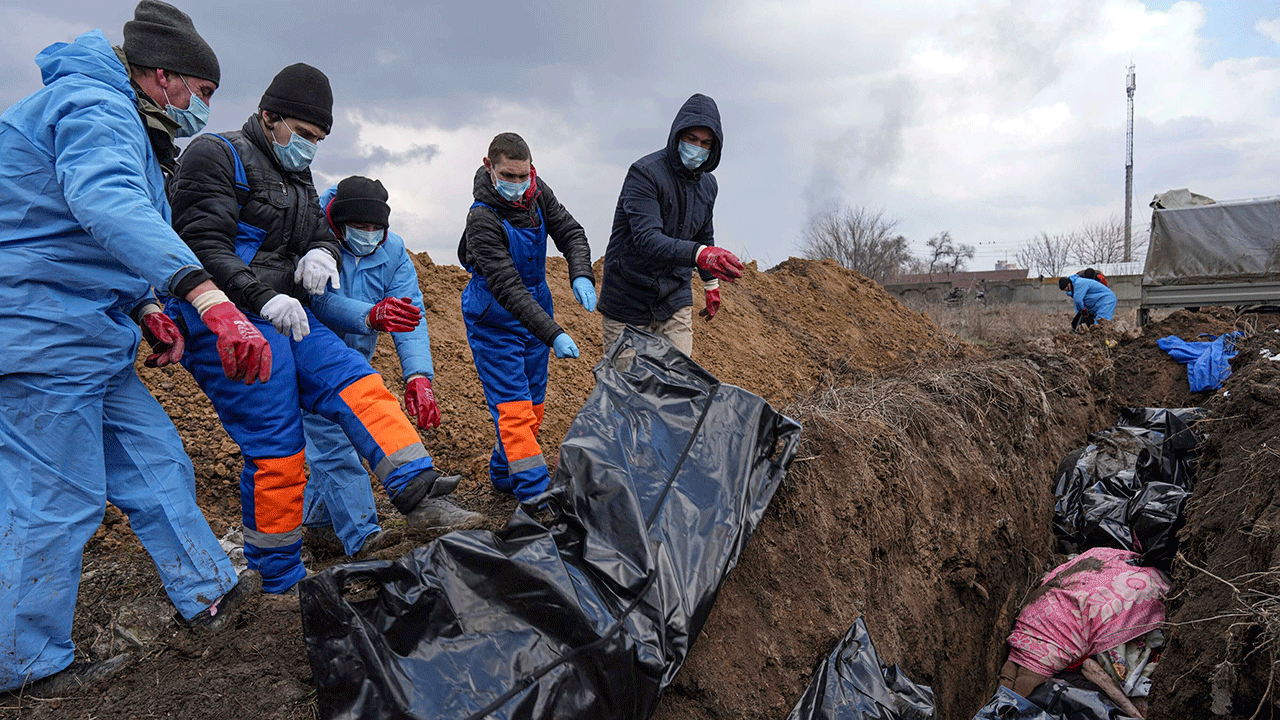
<point>380,294</point>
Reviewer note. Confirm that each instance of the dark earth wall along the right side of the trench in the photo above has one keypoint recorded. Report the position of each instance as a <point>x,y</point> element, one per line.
<point>1226,612</point>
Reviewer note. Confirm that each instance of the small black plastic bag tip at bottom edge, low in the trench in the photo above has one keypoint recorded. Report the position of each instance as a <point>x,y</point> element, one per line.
<point>853,685</point>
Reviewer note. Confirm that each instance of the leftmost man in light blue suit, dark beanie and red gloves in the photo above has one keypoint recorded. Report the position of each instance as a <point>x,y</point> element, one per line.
<point>85,236</point>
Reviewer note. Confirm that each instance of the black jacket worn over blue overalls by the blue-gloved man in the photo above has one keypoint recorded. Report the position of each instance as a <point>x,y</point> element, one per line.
<point>484,249</point>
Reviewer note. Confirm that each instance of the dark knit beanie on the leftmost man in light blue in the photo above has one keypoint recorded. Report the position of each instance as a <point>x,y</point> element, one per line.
<point>163,37</point>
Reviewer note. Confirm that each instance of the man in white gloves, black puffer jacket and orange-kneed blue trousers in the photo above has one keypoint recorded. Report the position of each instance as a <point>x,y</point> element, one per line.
<point>246,204</point>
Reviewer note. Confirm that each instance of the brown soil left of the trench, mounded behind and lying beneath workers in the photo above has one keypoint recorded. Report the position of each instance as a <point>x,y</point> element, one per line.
<point>921,498</point>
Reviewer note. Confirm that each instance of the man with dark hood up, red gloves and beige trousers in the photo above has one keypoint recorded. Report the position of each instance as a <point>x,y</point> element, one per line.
<point>662,230</point>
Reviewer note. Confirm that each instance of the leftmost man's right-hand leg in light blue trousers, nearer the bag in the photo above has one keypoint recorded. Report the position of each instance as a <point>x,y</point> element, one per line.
<point>150,479</point>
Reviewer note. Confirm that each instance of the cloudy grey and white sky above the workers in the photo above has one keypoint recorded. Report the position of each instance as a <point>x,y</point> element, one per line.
<point>991,120</point>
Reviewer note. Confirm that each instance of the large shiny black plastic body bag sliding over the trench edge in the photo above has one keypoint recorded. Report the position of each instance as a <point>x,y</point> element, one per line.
<point>586,610</point>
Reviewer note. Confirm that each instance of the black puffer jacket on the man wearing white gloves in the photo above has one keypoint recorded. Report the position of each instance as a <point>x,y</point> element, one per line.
<point>284,206</point>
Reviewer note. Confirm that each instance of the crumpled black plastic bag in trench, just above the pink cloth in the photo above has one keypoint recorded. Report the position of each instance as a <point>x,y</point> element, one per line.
<point>1098,489</point>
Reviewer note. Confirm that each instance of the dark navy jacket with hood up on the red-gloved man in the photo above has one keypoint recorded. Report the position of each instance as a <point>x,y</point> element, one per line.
<point>664,216</point>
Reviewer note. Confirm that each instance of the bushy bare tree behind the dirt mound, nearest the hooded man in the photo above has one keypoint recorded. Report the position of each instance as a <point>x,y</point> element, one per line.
<point>858,239</point>
